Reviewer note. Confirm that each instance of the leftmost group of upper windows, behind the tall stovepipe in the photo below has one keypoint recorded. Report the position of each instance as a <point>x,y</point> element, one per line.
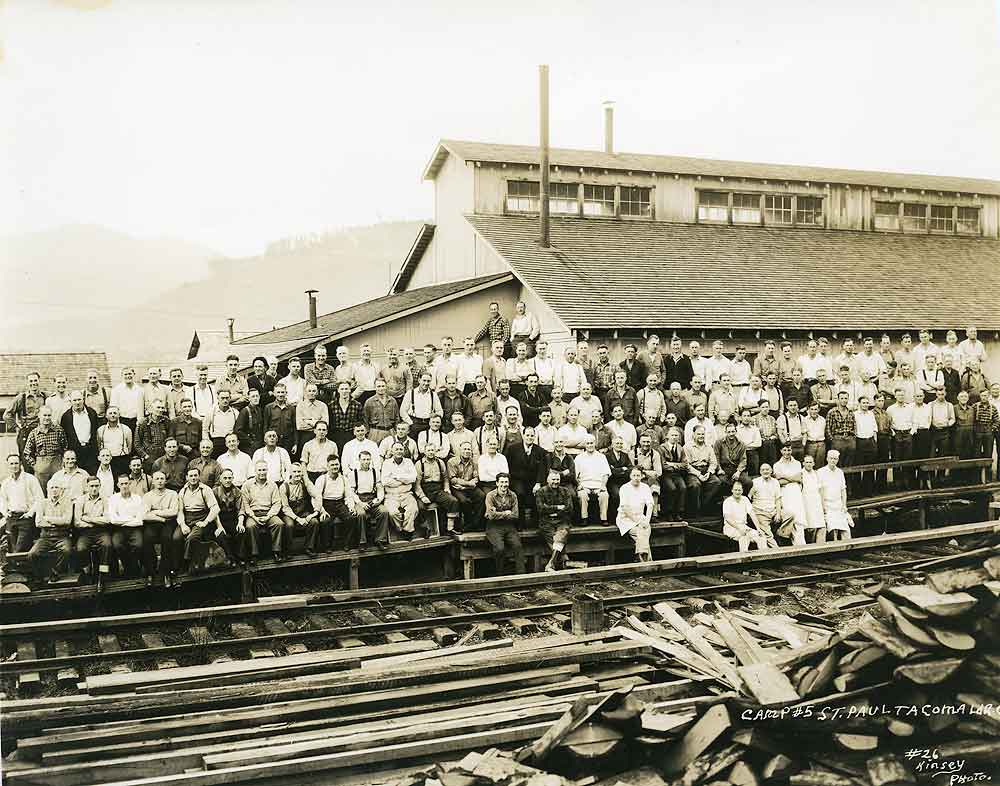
<point>581,199</point>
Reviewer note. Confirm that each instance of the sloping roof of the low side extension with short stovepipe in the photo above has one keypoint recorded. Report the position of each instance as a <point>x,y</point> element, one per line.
<point>384,308</point>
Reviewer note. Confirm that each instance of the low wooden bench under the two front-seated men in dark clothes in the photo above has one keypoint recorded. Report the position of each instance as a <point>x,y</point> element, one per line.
<point>583,539</point>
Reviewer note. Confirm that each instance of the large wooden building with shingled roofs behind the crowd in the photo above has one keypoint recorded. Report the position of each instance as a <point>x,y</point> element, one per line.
<point>701,248</point>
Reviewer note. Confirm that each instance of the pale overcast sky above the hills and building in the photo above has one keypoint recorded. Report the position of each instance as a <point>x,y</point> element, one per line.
<point>232,123</point>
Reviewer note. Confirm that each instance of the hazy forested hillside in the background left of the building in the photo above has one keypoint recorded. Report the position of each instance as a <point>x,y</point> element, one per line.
<point>80,288</point>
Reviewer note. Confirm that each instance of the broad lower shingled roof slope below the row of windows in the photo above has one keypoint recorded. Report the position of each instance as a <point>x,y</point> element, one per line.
<point>631,274</point>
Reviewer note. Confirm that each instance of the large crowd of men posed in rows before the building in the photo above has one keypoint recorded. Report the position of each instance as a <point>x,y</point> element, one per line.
<point>342,454</point>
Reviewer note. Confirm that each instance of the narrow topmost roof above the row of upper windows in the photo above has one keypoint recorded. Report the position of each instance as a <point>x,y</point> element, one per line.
<point>681,165</point>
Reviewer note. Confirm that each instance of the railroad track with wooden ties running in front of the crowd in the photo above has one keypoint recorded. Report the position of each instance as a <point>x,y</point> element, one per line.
<point>53,658</point>
